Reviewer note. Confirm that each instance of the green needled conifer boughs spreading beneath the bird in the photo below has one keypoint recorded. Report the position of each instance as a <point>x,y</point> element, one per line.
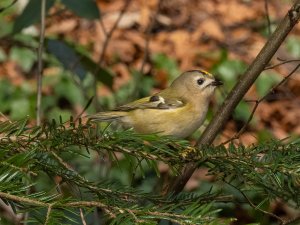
<point>271,168</point>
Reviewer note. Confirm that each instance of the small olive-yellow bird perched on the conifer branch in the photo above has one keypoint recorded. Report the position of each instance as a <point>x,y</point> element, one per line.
<point>178,110</point>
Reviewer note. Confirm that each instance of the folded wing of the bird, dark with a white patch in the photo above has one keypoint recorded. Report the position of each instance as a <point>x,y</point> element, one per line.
<point>153,102</point>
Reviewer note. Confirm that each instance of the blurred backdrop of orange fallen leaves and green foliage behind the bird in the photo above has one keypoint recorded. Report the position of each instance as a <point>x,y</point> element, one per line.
<point>120,50</point>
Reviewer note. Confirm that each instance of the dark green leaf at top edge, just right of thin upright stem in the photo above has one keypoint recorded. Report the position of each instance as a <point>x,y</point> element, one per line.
<point>83,8</point>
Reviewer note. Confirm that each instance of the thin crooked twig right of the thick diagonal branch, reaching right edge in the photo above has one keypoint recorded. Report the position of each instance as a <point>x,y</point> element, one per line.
<point>257,102</point>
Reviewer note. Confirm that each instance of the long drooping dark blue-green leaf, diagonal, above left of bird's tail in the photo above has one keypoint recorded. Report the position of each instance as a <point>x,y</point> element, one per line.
<point>77,62</point>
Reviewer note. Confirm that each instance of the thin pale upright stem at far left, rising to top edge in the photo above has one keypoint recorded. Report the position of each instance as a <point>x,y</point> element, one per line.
<point>40,63</point>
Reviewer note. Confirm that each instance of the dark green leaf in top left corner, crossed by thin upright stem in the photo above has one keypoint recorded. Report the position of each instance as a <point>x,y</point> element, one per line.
<point>30,15</point>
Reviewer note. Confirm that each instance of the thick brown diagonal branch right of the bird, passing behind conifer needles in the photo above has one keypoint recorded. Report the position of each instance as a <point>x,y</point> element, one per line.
<point>240,89</point>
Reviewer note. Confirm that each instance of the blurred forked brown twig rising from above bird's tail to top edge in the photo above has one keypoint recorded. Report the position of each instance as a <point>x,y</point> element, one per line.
<point>108,35</point>
